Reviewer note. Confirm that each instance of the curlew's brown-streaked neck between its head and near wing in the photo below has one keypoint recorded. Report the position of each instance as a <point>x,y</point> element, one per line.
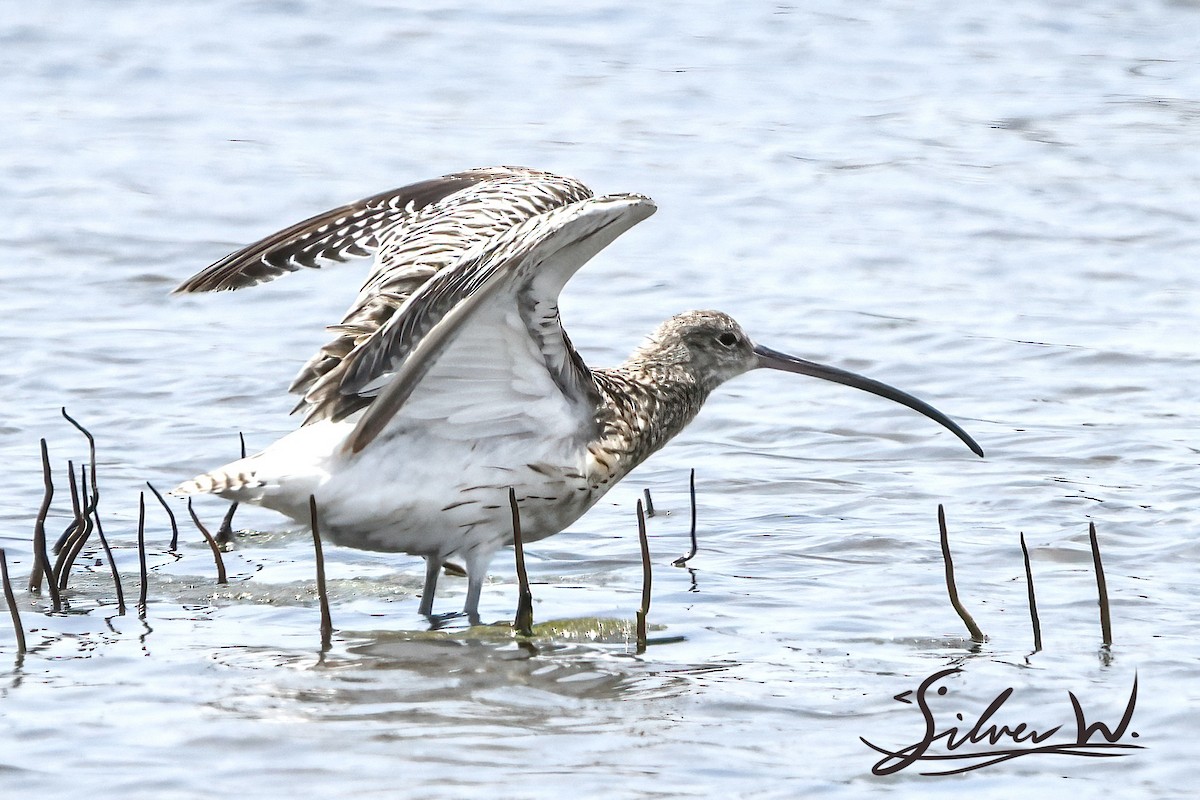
<point>644,406</point>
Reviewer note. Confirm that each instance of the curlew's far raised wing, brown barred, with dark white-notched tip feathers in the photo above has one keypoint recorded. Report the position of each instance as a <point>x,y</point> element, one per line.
<point>413,233</point>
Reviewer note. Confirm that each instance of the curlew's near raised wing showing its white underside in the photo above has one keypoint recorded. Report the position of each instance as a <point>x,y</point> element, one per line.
<point>481,345</point>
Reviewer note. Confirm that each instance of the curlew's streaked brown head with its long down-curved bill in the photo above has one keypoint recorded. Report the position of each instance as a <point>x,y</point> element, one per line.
<point>711,347</point>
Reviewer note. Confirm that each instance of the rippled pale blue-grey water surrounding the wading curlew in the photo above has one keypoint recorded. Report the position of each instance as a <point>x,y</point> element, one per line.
<point>992,206</point>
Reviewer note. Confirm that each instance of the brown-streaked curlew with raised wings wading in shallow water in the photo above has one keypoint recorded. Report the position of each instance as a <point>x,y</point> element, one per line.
<point>452,380</point>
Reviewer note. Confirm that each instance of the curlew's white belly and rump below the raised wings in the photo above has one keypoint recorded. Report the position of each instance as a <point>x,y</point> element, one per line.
<point>421,495</point>
